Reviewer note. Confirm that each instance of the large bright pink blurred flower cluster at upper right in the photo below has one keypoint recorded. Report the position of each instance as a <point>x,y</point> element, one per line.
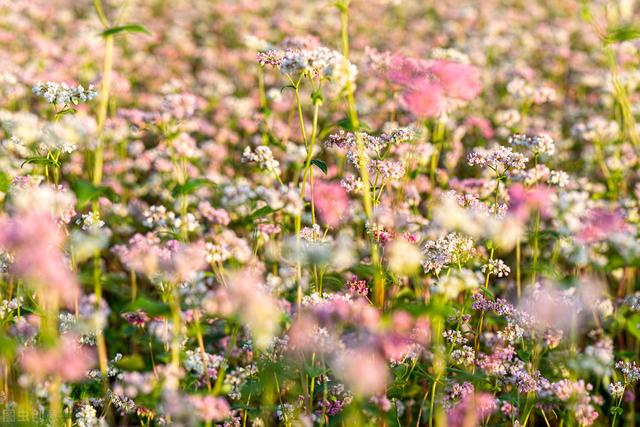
<point>429,85</point>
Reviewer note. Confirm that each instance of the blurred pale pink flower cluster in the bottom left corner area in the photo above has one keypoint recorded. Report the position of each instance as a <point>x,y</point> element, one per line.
<point>68,360</point>
